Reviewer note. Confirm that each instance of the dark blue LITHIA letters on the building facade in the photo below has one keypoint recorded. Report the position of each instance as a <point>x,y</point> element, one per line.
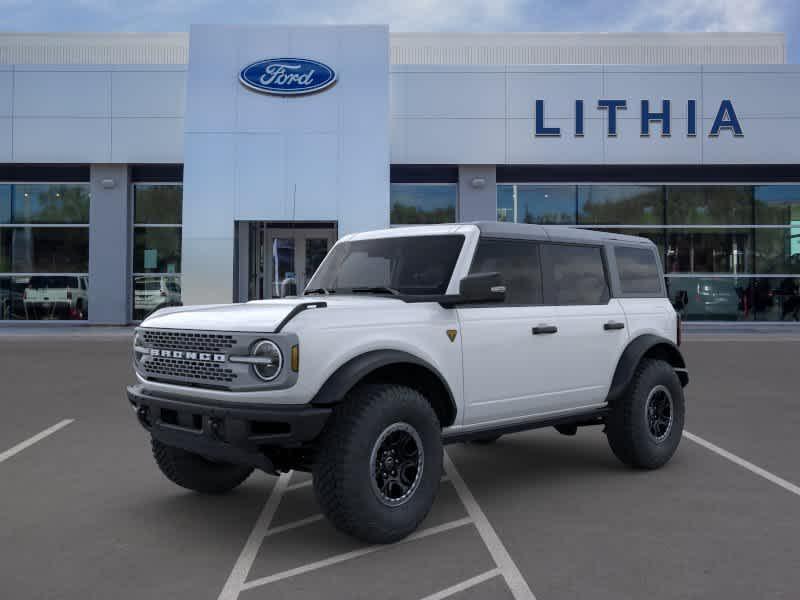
<point>725,120</point>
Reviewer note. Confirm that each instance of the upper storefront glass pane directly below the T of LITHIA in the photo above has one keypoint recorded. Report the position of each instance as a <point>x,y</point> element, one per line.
<point>620,205</point>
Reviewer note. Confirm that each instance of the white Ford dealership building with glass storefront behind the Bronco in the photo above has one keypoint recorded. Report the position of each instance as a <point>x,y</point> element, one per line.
<point>148,170</point>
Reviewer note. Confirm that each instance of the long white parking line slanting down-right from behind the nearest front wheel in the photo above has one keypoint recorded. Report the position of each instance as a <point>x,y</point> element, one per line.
<point>508,568</point>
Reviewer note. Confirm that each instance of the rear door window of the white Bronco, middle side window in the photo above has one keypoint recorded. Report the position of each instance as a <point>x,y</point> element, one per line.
<point>574,274</point>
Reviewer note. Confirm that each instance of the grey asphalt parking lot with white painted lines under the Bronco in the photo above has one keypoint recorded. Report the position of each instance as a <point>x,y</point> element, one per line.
<point>85,513</point>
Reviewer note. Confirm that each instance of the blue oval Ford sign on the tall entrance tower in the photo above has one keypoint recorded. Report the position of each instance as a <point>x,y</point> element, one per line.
<point>287,76</point>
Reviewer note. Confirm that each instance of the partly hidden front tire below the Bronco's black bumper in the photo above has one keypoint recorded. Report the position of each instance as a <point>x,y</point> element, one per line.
<point>196,473</point>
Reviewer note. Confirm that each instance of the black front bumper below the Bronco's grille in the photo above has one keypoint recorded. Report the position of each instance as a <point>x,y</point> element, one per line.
<point>238,434</point>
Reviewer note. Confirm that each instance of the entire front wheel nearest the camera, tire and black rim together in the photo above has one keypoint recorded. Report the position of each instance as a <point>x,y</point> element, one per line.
<point>379,463</point>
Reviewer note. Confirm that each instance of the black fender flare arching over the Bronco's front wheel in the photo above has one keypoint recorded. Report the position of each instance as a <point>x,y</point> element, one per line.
<point>350,373</point>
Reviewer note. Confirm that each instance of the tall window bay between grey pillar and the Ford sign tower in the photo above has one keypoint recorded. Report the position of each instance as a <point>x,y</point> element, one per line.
<point>157,210</point>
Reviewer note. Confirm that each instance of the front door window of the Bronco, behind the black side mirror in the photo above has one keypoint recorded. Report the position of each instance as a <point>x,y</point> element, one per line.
<point>517,263</point>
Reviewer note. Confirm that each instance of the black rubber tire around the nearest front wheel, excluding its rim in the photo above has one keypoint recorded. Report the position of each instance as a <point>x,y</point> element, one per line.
<point>343,472</point>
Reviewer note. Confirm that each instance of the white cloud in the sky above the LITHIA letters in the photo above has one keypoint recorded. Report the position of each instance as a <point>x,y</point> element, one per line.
<point>705,15</point>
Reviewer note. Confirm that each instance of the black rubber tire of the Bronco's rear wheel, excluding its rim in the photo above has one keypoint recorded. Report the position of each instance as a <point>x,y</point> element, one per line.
<point>627,427</point>
